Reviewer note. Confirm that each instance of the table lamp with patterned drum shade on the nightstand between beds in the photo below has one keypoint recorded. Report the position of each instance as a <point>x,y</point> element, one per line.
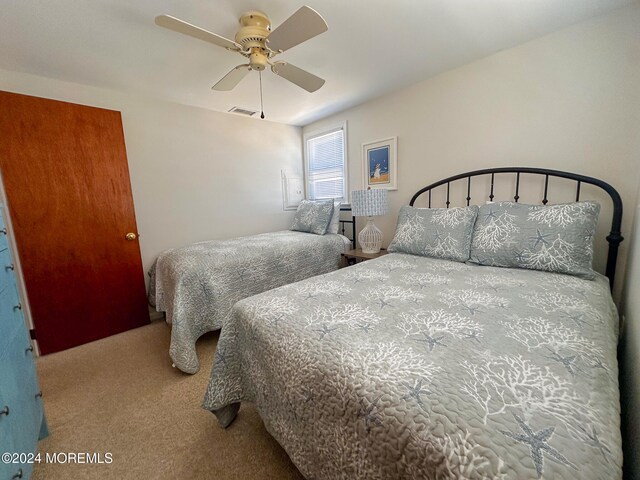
<point>369,203</point>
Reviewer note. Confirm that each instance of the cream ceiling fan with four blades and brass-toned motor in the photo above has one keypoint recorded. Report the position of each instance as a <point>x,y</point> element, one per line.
<point>260,45</point>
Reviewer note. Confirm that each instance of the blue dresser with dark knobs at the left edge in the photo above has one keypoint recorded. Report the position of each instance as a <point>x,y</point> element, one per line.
<point>22,420</point>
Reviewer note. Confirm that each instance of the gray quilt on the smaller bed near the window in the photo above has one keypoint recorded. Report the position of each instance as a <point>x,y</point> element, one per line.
<point>197,285</point>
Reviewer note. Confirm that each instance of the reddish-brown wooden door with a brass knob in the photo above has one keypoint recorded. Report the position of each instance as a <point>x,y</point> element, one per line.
<point>65,173</point>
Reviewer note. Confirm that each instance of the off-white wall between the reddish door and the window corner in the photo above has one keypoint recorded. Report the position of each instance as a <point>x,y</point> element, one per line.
<point>195,174</point>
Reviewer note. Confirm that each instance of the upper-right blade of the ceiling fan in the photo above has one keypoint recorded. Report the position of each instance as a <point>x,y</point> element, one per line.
<point>304,24</point>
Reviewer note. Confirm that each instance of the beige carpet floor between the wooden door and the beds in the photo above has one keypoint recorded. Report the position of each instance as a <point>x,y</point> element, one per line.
<point>120,395</point>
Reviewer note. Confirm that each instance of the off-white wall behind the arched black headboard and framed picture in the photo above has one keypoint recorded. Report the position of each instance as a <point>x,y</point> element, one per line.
<point>570,101</point>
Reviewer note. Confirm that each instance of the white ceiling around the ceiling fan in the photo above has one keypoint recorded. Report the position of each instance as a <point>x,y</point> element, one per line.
<point>372,46</point>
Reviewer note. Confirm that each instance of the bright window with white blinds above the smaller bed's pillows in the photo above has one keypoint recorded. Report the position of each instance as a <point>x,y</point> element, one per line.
<point>325,164</point>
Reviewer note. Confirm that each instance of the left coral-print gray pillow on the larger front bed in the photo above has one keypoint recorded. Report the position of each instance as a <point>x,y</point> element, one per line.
<point>435,232</point>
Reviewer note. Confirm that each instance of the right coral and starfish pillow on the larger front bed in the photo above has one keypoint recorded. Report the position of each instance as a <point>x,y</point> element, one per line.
<point>553,238</point>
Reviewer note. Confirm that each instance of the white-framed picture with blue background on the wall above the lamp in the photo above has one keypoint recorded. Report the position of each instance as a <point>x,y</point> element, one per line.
<point>380,164</point>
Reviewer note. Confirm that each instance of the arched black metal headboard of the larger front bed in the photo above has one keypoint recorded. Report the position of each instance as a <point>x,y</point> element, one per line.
<point>614,238</point>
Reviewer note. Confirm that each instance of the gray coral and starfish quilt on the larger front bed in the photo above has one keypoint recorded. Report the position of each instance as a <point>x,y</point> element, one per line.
<point>410,367</point>
